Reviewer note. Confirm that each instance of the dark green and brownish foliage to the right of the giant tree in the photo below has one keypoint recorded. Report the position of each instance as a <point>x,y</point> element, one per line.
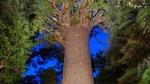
<point>129,43</point>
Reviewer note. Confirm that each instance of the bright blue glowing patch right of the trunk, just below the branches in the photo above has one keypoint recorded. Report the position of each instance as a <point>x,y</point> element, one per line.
<point>98,41</point>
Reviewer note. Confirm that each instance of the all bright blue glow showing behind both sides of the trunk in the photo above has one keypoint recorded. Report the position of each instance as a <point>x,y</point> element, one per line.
<point>98,41</point>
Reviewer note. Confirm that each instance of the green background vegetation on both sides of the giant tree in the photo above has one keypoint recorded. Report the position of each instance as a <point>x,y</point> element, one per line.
<point>127,61</point>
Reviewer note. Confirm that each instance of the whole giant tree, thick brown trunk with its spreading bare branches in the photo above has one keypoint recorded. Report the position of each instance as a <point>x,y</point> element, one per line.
<point>73,22</point>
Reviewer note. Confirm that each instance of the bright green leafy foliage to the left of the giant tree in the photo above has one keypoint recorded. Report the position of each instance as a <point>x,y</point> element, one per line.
<point>18,23</point>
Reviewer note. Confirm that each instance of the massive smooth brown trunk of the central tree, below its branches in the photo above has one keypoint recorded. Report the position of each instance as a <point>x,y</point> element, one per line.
<point>77,63</point>
